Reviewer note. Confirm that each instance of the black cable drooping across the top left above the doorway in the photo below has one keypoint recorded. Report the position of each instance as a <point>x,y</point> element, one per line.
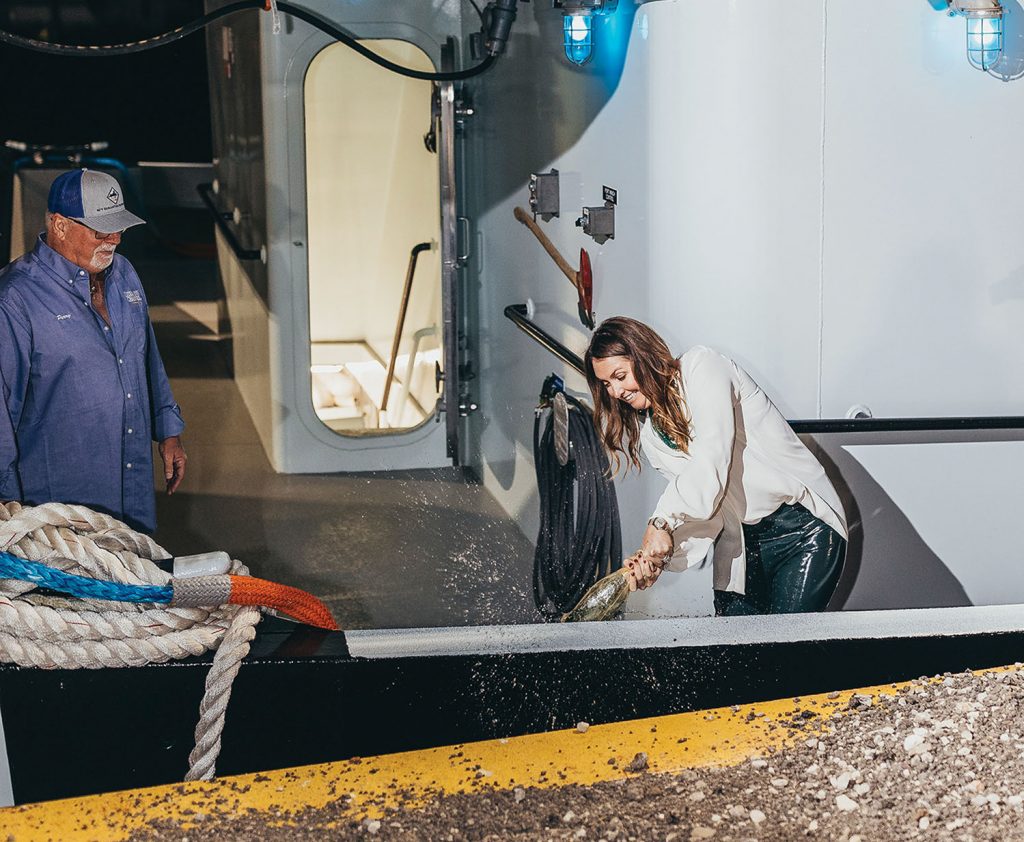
<point>105,51</point>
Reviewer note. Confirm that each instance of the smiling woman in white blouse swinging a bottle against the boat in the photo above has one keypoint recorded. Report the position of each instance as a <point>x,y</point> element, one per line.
<point>739,477</point>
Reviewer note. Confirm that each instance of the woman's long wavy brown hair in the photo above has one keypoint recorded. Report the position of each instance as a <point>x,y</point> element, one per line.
<point>657,373</point>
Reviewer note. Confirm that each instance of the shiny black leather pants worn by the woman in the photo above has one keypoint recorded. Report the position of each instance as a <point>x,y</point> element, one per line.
<point>794,563</point>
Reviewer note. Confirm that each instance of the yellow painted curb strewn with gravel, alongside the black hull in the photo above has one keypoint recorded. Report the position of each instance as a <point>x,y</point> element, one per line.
<point>721,737</point>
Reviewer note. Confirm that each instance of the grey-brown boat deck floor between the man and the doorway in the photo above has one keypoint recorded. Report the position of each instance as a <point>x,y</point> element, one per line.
<point>402,550</point>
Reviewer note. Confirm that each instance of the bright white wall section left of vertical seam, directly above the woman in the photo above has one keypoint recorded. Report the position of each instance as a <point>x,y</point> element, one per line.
<point>736,187</point>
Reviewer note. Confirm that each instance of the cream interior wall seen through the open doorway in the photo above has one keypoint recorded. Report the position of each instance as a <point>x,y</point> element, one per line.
<point>373,194</point>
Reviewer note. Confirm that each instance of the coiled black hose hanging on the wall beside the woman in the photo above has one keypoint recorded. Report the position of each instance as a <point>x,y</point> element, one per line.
<point>574,549</point>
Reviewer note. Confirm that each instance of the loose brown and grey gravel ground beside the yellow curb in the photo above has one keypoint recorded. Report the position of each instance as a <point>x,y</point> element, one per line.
<point>941,760</point>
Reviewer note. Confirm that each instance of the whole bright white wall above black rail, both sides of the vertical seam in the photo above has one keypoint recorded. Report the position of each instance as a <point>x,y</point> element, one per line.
<point>840,196</point>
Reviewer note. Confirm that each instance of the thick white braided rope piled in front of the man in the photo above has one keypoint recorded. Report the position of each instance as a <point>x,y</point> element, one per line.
<point>53,633</point>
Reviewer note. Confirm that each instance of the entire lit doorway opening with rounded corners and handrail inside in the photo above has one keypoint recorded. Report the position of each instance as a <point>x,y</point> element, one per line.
<point>374,222</point>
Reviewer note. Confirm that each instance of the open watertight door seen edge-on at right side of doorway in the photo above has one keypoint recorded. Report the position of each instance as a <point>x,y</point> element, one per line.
<point>450,257</point>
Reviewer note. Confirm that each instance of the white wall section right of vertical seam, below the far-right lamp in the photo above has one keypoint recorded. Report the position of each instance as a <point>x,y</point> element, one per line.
<point>924,265</point>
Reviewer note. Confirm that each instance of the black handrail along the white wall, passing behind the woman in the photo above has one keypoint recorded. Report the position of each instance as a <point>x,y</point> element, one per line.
<point>518,315</point>
